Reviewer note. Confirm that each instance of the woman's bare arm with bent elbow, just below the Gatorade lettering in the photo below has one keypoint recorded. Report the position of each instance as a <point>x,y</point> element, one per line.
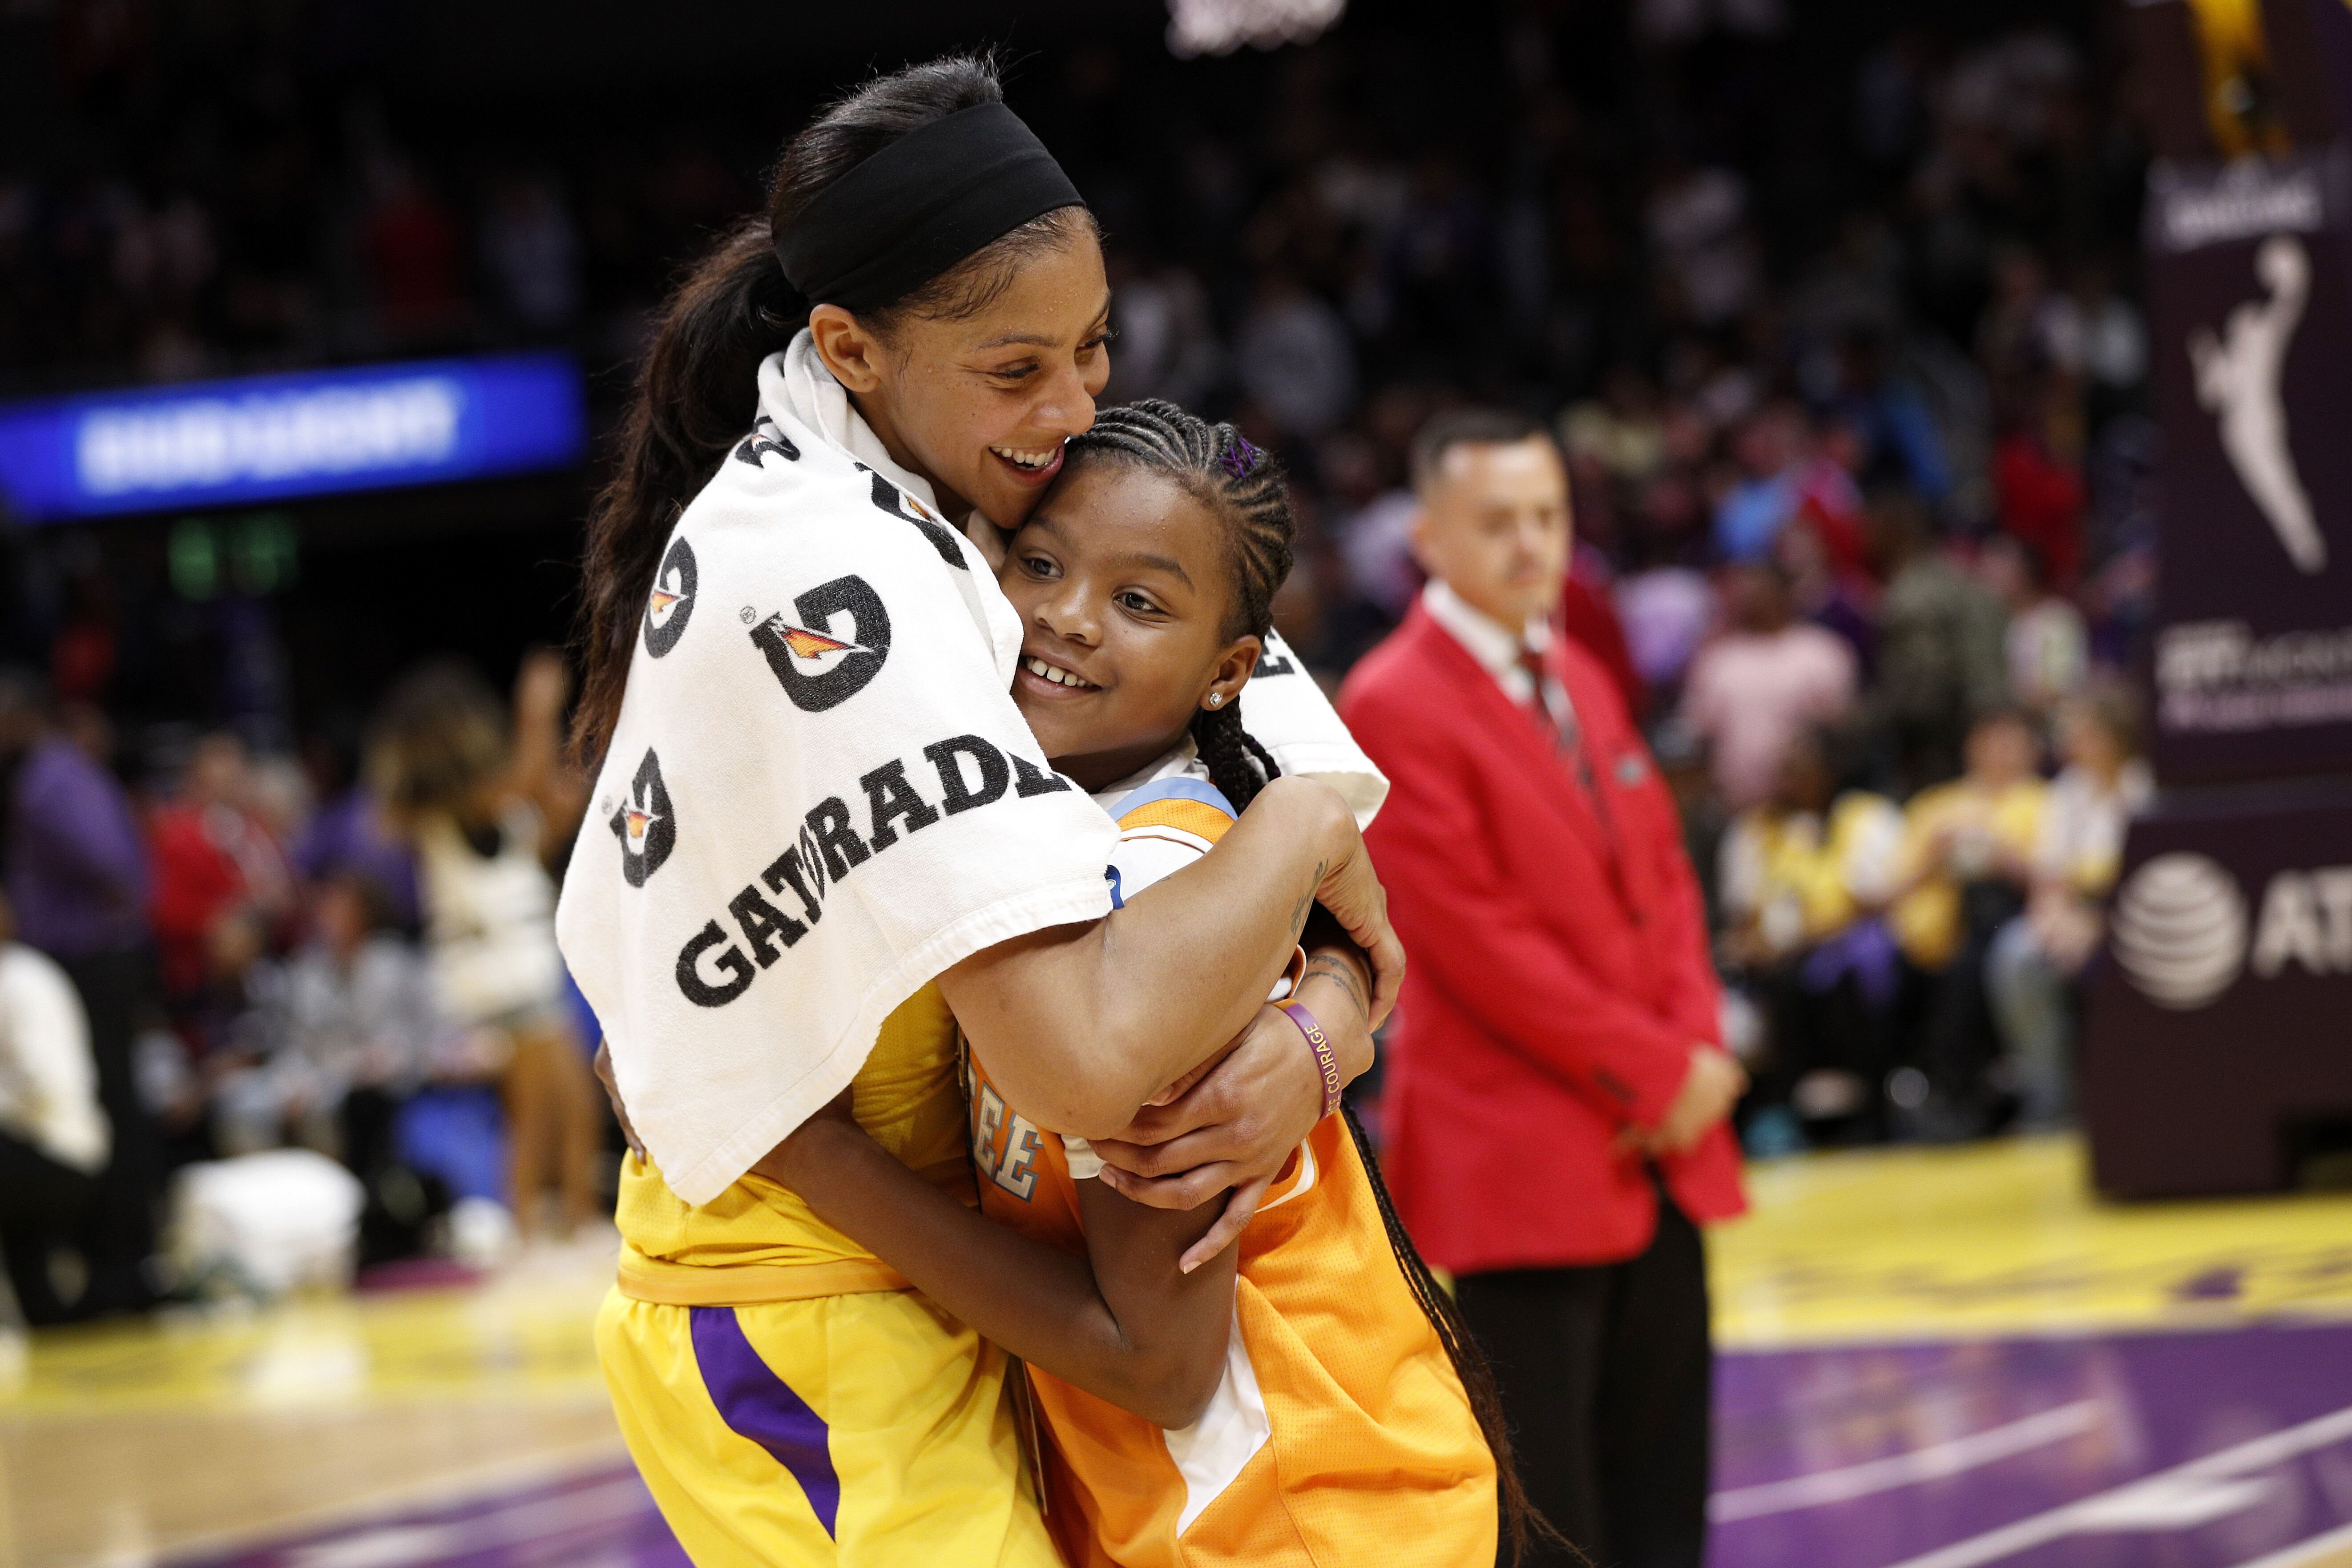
<point>1083,1024</point>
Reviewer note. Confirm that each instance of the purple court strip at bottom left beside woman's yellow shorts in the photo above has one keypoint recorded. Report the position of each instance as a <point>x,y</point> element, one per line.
<point>601,1520</point>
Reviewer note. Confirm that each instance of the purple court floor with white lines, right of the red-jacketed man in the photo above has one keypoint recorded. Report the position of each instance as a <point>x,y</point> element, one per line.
<point>2130,1452</point>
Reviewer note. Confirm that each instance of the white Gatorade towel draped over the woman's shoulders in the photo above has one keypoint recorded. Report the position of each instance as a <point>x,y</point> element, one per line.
<point>820,793</point>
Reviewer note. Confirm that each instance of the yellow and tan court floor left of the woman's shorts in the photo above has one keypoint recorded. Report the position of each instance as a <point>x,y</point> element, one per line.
<point>140,1445</point>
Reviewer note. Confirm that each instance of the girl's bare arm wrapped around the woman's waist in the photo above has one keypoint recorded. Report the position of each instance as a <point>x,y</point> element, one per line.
<point>1123,1322</point>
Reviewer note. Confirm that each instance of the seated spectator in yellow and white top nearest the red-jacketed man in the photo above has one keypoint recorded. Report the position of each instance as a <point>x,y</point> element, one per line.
<point>1805,878</point>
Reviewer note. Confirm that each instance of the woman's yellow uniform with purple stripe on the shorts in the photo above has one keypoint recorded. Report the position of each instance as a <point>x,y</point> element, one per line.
<point>782,1391</point>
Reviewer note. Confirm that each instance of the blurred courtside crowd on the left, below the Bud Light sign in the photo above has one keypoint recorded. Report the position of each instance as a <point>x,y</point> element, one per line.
<point>243,956</point>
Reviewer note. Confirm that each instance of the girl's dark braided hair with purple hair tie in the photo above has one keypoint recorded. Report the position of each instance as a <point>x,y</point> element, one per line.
<point>1245,490</point>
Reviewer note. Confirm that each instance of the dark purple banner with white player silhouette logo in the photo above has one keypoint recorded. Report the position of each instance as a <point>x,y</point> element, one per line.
<point>2250,269</point>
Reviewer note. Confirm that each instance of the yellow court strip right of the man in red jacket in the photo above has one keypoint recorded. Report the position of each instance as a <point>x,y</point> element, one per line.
<point>2007,1238</point>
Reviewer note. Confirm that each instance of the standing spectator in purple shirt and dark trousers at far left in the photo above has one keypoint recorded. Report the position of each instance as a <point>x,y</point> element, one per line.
<point>76,883</point>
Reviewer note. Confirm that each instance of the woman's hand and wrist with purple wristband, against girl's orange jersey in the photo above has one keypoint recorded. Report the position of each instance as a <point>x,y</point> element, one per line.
<point>1236,1120</point>
